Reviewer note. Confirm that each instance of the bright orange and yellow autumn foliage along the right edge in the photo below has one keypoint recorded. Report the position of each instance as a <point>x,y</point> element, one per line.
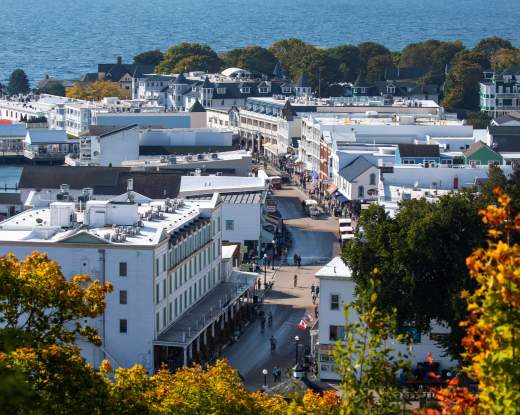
<point>492,341</point>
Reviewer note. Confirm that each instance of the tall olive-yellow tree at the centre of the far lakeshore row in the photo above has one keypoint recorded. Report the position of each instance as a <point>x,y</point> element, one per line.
<point>291,52</point>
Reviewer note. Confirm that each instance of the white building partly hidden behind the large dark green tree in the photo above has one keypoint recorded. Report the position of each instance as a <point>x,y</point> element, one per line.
<point>337,288</point>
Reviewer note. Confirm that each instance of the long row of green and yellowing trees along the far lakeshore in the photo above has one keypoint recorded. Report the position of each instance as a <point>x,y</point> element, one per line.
<point>451,65</point>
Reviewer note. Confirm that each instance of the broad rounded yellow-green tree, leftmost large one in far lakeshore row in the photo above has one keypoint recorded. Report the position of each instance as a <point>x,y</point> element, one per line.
<point>189,56</point>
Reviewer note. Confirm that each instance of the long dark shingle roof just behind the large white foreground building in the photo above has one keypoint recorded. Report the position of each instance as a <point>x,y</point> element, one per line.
<point>104,180</point>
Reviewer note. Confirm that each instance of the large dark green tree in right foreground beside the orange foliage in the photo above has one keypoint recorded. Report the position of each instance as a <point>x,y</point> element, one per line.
<point>420,254</point>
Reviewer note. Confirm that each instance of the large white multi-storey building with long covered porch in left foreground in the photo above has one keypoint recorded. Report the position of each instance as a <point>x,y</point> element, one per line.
<point>163,258</point>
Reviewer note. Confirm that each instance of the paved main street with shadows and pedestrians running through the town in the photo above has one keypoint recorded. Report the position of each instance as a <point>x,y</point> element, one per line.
<point>315,240</point>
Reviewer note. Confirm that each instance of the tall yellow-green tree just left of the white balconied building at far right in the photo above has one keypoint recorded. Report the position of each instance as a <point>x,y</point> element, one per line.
<point>462,86</point>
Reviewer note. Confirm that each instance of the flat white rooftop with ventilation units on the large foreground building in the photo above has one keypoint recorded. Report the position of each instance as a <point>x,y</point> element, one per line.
<point>127,223</point>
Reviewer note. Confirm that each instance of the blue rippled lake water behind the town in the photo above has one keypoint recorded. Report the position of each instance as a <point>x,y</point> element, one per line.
<point>65,38</point>
